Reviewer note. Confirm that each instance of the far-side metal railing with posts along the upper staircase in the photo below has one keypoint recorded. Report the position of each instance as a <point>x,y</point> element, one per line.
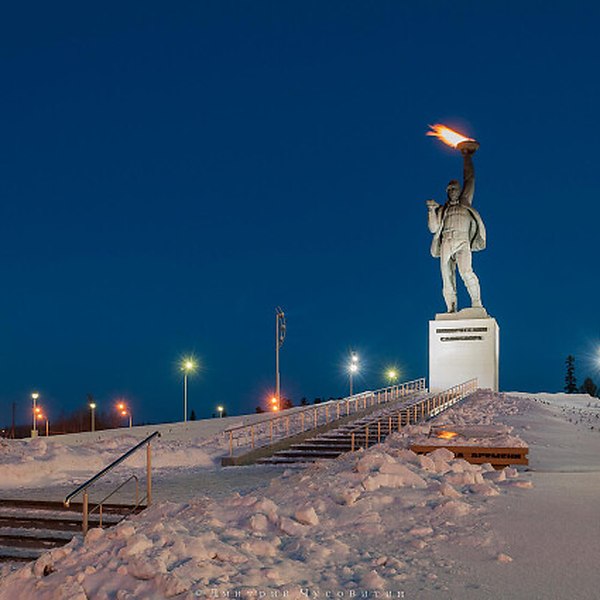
<point>270,424</point>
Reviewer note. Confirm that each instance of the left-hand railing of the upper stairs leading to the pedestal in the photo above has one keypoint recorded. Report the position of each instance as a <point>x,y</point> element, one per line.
<point>300,420</point>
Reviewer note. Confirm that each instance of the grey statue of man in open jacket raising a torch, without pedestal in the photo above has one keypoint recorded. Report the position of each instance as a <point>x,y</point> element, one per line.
<point>457,230</point>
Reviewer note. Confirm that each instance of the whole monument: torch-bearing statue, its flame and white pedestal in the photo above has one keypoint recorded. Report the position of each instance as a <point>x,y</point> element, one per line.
<point>463,344</point>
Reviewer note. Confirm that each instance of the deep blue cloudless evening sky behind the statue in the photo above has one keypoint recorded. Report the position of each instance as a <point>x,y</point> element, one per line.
<point>170,172</point>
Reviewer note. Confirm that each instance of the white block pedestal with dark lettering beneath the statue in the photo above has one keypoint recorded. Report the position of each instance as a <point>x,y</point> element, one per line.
<point>461,349</point>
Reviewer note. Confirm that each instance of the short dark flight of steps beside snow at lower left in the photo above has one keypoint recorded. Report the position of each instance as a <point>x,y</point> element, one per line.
<point>30,527</point>
